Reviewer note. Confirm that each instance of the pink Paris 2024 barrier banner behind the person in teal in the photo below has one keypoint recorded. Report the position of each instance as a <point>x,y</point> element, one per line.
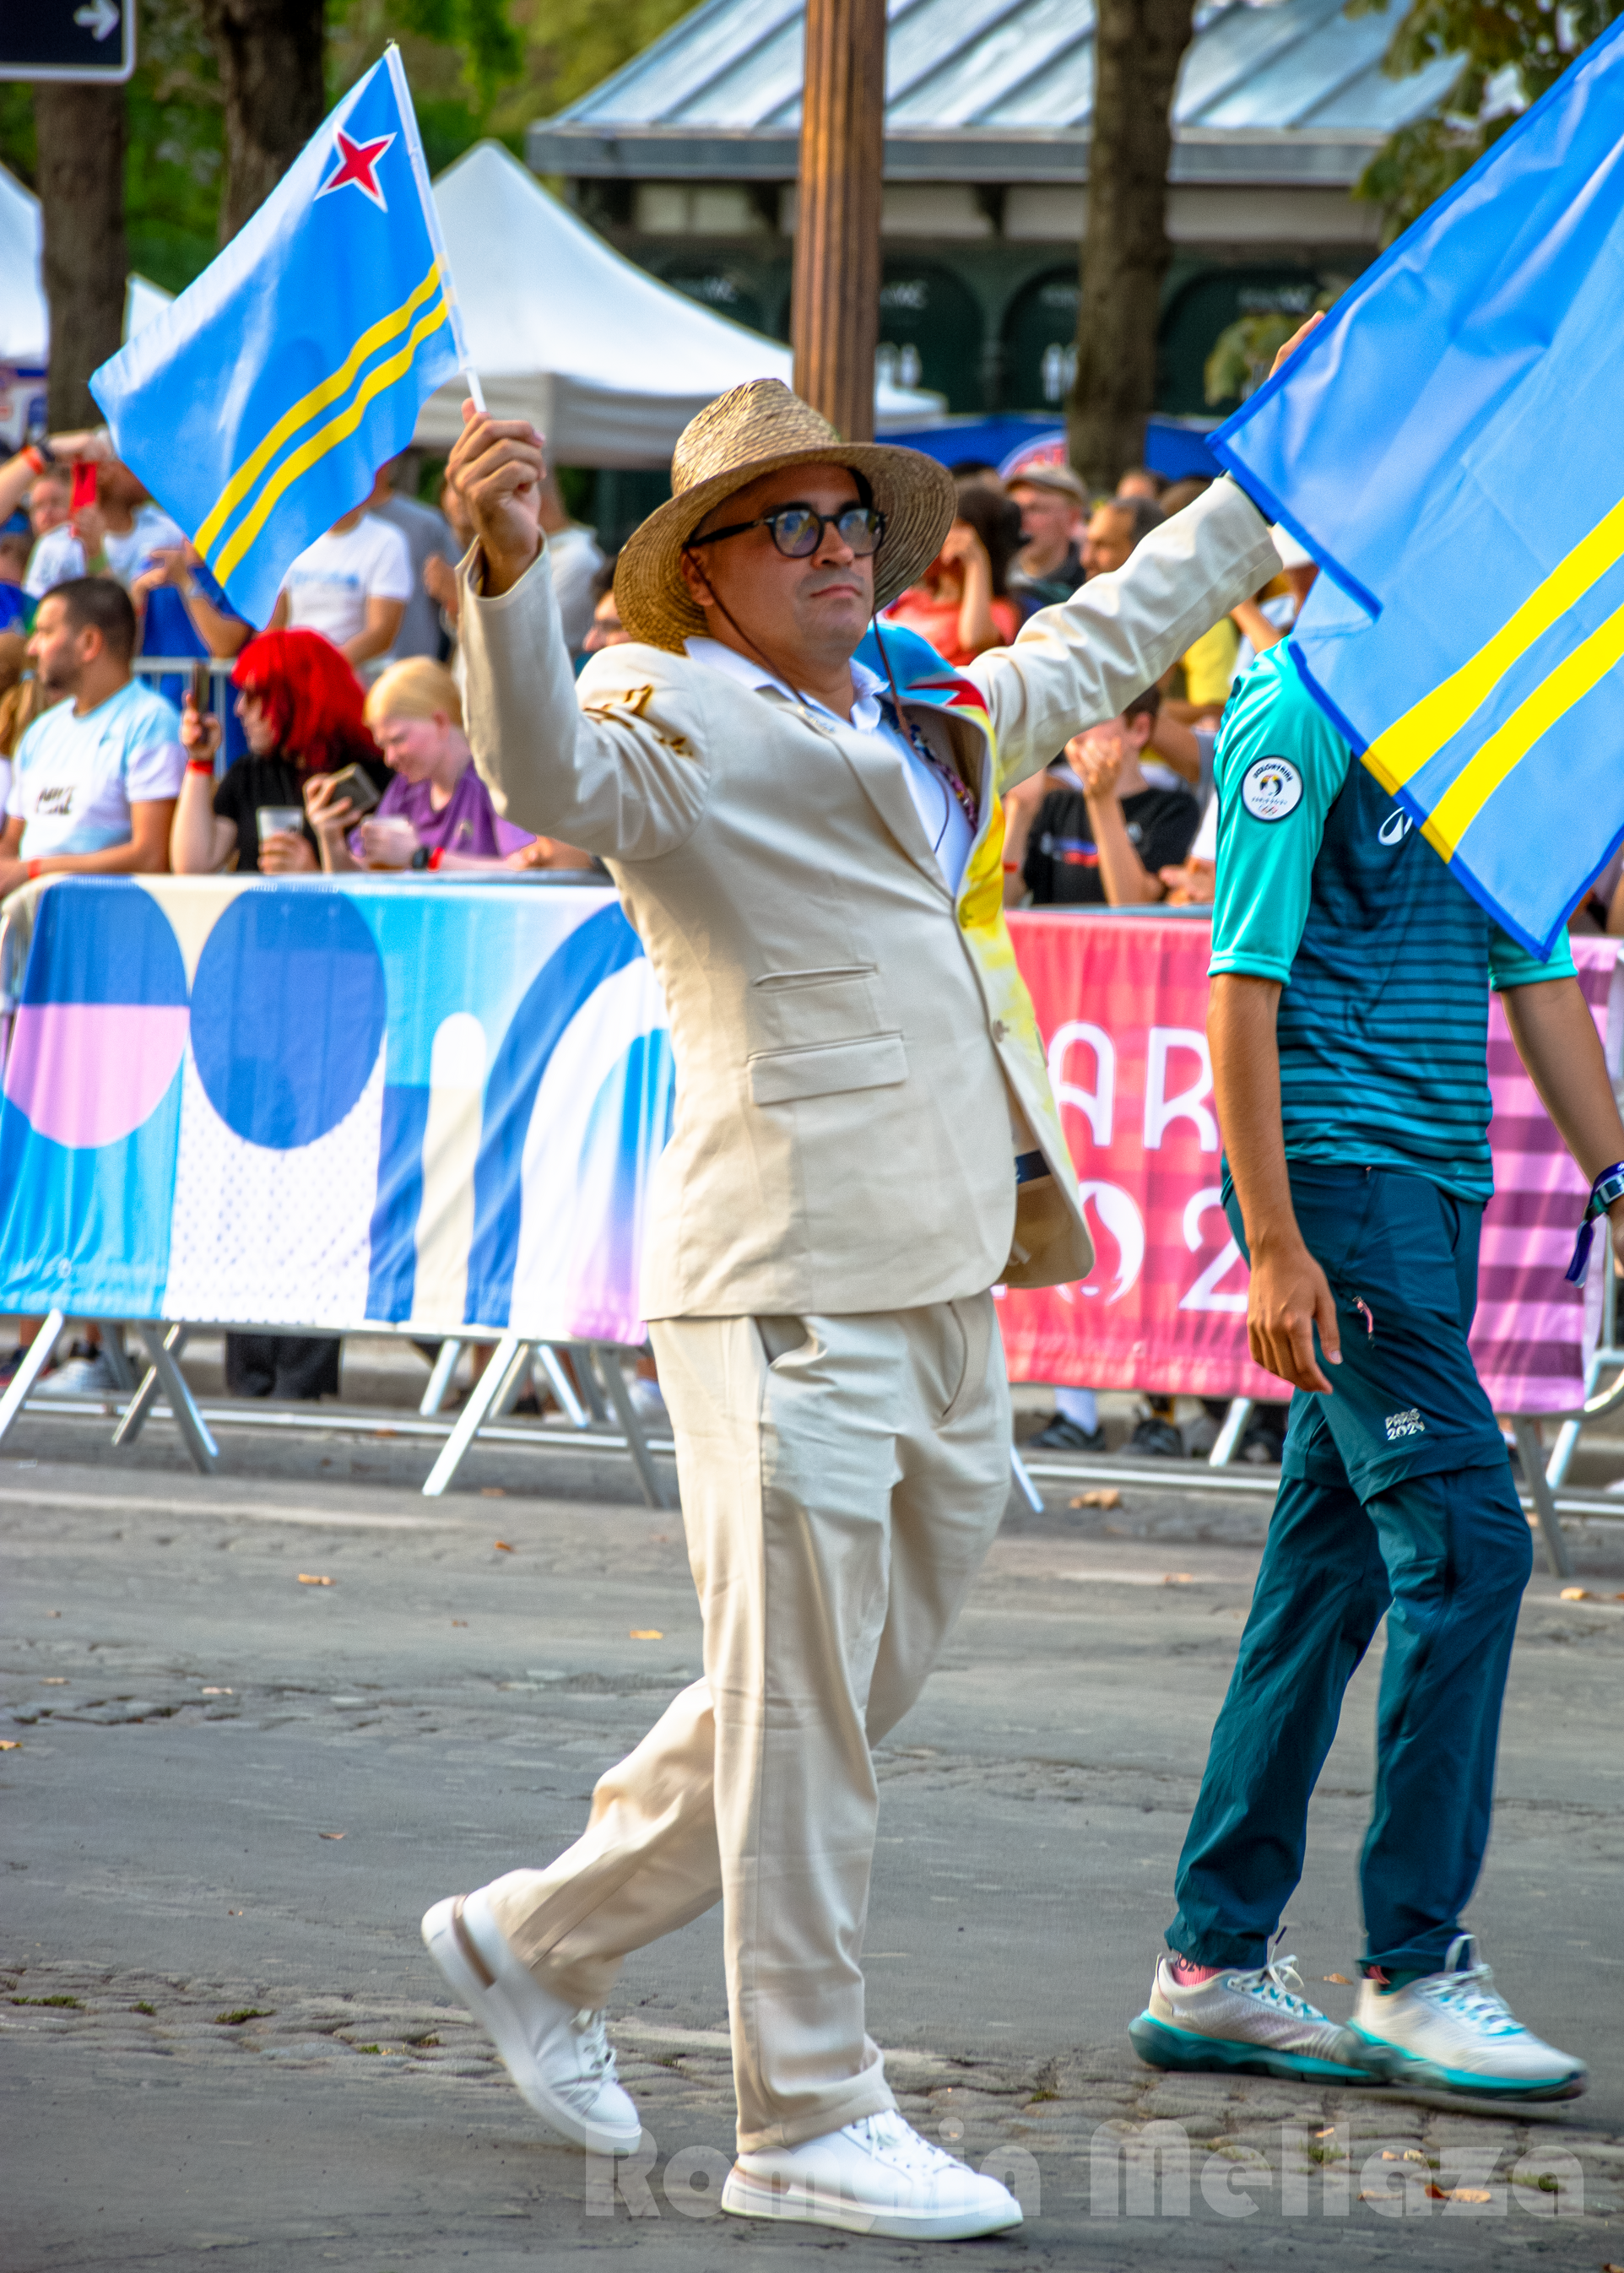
<point>1122,1010</point>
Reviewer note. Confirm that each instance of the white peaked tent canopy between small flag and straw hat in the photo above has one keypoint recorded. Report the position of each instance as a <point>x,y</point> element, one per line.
<point>597,353</point>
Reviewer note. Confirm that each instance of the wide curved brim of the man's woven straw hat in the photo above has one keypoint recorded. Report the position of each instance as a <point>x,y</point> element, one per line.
<point>915,494</point>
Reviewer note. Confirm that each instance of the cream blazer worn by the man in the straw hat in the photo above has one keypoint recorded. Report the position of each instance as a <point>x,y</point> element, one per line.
<point>856,1051</point>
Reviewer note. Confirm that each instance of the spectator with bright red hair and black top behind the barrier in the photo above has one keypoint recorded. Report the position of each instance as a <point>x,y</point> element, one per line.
<point>301,713</point>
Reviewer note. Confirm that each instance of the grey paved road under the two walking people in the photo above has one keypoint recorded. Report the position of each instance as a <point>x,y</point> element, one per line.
<point>233,1797</point>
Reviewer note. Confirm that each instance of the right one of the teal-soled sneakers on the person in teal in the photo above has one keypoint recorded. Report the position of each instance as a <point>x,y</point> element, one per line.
<point>1455,2033</point>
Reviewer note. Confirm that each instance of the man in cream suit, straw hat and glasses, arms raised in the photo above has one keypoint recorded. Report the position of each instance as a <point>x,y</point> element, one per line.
<point>865,1142</point>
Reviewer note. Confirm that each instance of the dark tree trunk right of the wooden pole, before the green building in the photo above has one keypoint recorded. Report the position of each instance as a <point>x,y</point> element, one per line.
<point>1138,49</point>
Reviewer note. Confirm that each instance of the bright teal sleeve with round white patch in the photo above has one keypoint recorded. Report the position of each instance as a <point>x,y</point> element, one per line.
<point>1279,767</point>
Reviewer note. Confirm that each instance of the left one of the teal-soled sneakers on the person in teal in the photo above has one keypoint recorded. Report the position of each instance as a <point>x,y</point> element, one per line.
<point>1250,2024</point>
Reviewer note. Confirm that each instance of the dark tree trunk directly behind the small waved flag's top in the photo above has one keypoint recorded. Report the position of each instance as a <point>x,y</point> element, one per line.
<point>272,81</point>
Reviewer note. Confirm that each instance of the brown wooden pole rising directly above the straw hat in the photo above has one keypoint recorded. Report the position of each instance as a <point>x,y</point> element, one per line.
<point>836,313</point>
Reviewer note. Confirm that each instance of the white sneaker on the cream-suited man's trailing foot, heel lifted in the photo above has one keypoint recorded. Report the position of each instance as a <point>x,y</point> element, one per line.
<point>561,2058</point>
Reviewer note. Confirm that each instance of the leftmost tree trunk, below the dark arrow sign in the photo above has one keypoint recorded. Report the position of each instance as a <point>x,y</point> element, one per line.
<point>83,208</point>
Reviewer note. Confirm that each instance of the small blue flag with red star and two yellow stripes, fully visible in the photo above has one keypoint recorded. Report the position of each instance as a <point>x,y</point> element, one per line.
<point>263,401</point>
